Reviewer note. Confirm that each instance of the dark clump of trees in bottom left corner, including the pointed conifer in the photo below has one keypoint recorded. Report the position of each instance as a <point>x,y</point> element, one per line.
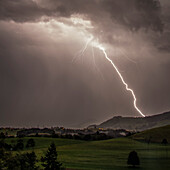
<point>28,160</point>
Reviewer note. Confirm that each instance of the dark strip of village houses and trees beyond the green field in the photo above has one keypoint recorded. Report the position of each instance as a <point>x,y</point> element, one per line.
<point>89,133</point>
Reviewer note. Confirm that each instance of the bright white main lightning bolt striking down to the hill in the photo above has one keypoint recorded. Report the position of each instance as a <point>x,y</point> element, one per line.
<point>100,47</point>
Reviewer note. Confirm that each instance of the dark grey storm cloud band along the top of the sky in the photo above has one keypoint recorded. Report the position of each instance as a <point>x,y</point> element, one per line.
<point>134,14</point>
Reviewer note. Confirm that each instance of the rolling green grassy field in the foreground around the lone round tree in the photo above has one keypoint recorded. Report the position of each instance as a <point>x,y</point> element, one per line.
<point>104,155</point>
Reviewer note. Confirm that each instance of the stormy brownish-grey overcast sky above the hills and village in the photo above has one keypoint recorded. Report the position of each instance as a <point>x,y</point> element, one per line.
<point>48,78</point>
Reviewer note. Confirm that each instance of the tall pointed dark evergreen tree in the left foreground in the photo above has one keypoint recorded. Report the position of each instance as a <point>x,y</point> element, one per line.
<point>49,161</point>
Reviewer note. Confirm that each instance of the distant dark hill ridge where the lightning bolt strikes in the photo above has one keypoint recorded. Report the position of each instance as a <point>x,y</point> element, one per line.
<point>138,123</point>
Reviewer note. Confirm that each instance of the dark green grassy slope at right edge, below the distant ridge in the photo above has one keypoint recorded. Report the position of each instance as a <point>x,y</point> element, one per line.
<point>154,135</point>
